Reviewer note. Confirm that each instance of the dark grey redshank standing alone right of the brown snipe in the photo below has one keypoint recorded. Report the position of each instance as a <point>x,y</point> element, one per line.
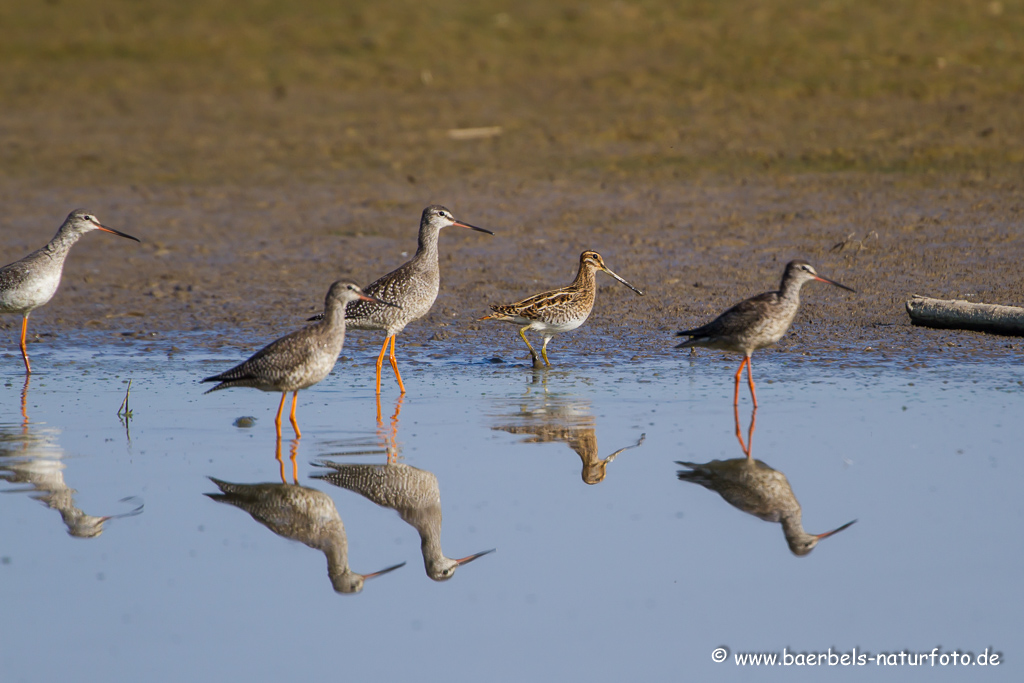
<point>756,323</point>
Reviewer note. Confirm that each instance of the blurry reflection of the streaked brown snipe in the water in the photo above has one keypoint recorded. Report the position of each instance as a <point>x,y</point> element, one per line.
<point>553,418</point>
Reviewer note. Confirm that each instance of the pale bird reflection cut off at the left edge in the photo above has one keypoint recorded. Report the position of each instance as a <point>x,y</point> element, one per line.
<point>31,455</point>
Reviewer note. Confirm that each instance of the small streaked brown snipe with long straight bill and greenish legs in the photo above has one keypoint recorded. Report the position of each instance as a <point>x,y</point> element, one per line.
<point>559,311</point>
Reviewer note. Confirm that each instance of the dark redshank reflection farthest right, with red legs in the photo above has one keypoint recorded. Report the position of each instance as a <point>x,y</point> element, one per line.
<point>756,489</point>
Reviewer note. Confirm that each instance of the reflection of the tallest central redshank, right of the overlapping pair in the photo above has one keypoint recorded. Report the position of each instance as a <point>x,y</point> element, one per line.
<point>413,493</point>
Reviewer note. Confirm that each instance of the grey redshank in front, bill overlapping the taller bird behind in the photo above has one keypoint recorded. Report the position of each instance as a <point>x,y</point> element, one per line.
<point>300,360</point>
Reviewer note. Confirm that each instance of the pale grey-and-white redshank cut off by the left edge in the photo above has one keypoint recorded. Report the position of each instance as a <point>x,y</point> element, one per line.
<point>29,284</point>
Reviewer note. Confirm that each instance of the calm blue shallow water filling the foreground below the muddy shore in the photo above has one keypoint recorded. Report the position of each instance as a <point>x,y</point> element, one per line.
<point>637,573</point>
